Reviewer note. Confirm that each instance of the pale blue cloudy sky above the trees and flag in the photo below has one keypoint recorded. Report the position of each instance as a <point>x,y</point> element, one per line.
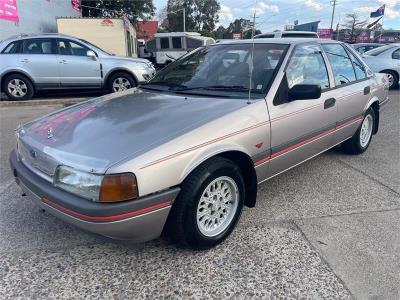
<point>274,14</point>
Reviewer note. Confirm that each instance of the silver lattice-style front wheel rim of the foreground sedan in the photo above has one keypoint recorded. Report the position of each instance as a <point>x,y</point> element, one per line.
<point>217,206</point>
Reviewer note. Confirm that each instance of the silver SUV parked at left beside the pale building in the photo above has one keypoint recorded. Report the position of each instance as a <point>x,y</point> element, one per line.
<point>30,63</point>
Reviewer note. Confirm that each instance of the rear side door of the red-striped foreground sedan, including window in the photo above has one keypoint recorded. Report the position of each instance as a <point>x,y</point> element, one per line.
<point>352,89</point>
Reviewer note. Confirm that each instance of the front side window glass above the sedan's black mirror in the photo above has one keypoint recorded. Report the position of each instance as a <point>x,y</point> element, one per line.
<point>307,66</point>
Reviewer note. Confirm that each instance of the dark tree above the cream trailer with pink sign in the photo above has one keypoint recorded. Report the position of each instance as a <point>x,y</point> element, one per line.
<point>134,9</point>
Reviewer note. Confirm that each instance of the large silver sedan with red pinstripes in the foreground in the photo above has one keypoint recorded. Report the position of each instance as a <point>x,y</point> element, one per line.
<point>183,154</point>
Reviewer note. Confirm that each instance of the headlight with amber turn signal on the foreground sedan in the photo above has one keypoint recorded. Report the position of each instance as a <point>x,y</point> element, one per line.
<point>98,188</point>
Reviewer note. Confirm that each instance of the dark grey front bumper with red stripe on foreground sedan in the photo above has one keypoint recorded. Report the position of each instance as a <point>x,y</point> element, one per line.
<point>140,220</point>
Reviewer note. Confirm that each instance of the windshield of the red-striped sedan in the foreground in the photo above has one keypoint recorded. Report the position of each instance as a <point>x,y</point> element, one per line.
<point>222,70</point>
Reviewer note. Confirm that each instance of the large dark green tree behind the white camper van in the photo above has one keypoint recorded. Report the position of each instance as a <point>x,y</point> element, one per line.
<point>201,15</point>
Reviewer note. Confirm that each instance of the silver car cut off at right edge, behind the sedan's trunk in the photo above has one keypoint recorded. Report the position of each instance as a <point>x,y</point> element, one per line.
<point>386,60</point>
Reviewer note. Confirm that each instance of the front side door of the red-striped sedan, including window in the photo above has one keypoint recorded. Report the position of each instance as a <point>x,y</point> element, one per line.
<point>302,128</point>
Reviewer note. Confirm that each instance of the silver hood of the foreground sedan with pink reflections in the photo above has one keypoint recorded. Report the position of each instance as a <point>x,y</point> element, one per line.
<point>101,132</point>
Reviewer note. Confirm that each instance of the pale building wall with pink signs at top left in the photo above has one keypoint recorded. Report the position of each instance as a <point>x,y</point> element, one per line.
<point>34,16</point>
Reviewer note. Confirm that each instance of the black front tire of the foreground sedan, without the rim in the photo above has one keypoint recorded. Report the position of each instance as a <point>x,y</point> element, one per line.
<point>182,224</point>
